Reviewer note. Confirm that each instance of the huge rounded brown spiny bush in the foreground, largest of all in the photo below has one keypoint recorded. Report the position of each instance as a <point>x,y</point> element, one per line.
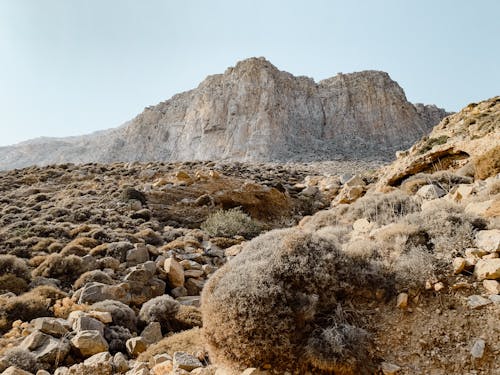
<point>274,301</point>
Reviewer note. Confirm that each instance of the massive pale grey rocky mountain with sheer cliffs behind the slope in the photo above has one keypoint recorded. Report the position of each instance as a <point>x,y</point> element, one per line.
<point>253,112</point>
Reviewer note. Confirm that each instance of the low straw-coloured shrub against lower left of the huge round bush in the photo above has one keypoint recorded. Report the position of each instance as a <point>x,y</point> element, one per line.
<point>189,341</point>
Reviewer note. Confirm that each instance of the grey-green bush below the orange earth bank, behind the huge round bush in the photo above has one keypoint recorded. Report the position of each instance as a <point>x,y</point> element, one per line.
<point>230,223</point>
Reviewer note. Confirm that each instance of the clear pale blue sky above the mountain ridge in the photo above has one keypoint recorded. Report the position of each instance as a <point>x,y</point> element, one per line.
<point>70,67</point>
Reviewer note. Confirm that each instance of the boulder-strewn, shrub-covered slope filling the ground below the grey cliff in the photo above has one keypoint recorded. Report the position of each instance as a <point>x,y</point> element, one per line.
<point>102,265</point>
